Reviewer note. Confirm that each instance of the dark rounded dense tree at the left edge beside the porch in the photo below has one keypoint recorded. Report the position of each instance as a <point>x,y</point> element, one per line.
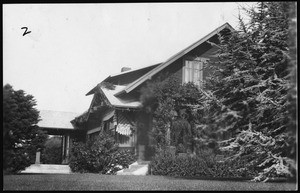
<point>21,136</point>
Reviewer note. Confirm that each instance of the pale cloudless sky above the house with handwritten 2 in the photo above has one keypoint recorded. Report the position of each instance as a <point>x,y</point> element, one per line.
<point>70,48</point>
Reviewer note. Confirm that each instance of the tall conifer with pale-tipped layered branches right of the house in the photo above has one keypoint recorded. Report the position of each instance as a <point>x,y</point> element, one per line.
<point>249,92</point>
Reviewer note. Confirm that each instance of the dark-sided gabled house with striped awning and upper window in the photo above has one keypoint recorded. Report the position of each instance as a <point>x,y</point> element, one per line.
<point>116,108</point>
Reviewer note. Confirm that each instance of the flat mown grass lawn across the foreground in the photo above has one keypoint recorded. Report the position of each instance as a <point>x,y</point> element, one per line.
<point>113,182</point>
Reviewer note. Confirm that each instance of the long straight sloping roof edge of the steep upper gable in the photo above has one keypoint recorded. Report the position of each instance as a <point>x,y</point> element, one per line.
<point>148,75</point>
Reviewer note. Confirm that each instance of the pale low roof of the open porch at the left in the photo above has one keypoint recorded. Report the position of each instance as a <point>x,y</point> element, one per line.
<point>56,119</point>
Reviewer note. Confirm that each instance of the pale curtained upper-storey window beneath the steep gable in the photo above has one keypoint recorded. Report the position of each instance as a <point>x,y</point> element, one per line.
<point>193,71</point>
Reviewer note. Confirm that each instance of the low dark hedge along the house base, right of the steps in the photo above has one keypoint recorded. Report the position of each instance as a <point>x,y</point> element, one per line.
<point>196,166</point>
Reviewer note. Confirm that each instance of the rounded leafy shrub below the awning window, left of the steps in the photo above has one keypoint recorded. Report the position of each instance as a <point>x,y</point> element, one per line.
<point>101,155</point>
